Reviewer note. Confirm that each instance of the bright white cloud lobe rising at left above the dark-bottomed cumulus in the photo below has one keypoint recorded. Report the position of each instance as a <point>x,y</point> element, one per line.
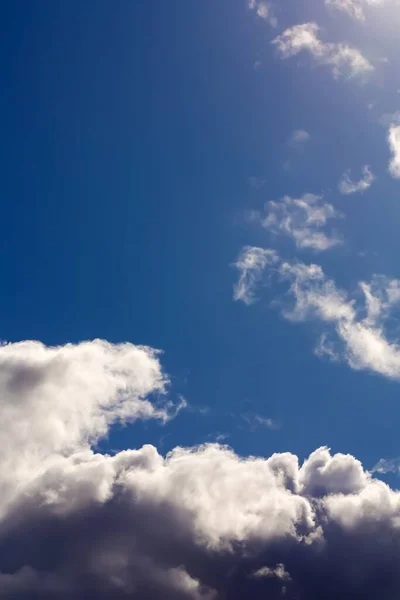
<point>57,400</point>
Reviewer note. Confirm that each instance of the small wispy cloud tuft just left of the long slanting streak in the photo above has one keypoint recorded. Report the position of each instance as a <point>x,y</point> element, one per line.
<point>251,263</point>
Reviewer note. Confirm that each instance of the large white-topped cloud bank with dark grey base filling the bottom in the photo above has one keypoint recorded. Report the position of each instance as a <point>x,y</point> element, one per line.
<point>200,523</point>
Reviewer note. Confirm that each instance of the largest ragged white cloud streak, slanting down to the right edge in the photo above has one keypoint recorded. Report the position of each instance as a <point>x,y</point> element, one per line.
<point>360,334</point>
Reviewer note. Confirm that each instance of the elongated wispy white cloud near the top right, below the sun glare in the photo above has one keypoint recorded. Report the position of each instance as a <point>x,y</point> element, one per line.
<point>344,60</point>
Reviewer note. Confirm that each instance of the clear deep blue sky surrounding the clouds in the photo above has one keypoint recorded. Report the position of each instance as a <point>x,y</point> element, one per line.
<point>129,132</point>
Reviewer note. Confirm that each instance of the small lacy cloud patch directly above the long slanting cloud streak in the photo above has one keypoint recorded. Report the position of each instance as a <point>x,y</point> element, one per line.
<point>302,219</point>
